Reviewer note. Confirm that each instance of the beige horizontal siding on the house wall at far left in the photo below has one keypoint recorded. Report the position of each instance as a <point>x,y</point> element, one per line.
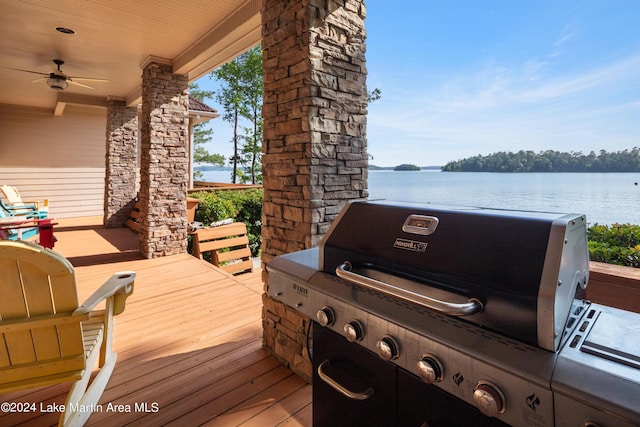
<point>72,175</point>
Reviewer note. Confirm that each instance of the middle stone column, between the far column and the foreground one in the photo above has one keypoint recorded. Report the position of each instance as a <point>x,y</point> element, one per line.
<point>164,162</point>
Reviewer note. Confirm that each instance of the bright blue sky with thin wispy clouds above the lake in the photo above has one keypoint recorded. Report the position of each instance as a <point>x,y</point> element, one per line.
<point>468,77</point>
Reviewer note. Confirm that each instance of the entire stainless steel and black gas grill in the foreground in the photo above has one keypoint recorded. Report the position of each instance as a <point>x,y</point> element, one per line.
<point>454,316</point>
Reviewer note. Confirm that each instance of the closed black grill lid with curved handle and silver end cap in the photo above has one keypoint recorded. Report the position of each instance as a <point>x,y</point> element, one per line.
<point>512,271</point>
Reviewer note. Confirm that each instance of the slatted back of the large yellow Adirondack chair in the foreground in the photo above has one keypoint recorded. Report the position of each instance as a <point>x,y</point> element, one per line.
<point>38,295</point>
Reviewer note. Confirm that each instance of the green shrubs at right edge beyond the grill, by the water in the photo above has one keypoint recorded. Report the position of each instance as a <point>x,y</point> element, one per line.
<point>616,244</point>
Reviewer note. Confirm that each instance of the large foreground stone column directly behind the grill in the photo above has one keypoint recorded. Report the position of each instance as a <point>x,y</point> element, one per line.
<point>315,157</point>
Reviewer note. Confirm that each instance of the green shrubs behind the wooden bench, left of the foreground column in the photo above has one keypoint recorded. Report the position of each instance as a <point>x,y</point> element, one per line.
<point>241,205</point>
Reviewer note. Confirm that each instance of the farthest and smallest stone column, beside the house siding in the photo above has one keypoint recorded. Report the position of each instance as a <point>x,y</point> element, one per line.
<point>121,163</point>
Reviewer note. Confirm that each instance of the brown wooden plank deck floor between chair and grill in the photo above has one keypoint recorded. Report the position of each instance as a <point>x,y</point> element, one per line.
<point>189,343</point>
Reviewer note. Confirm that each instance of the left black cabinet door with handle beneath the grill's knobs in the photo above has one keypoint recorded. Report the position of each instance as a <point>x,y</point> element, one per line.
<point>356,369</point>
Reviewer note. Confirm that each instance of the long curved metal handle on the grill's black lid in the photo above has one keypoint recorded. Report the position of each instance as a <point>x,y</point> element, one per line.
<point>472,306</point>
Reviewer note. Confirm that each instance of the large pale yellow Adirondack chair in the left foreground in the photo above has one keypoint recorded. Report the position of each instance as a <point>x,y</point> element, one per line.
<point>45,337</point>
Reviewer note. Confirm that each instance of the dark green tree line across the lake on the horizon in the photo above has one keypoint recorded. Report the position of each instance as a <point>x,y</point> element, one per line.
<point>549,161</point>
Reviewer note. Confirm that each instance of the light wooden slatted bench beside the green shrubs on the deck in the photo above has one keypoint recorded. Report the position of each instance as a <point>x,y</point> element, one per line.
<point>228,246</point>
